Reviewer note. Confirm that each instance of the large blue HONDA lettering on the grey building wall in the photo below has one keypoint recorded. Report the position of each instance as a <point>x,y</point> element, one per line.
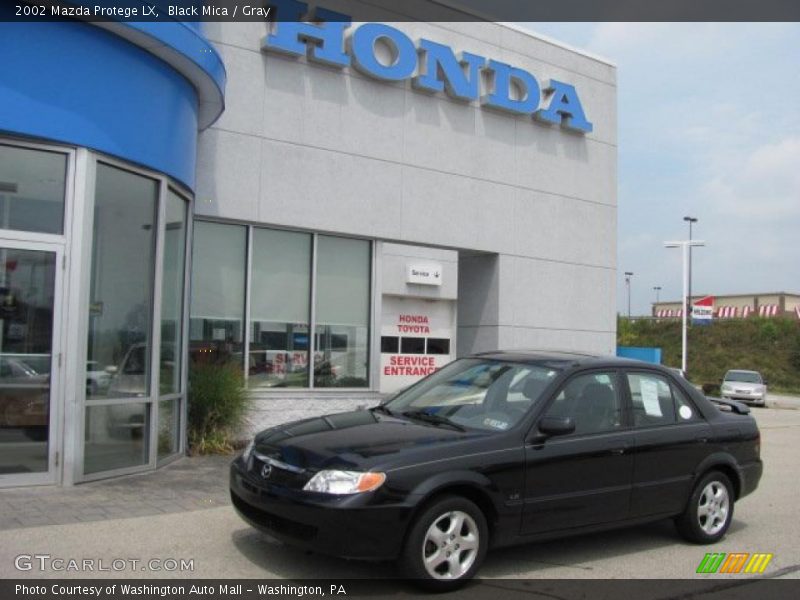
<point>327,37</point>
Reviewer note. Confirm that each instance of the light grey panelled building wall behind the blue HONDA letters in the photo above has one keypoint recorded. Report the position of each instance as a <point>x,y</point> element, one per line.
<point>530,208</point>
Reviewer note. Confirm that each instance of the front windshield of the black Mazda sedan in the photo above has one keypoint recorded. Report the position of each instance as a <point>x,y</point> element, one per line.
<point>491,395</point>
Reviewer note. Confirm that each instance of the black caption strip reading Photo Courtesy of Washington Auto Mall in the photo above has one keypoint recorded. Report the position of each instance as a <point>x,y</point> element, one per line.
<point>735,588</point>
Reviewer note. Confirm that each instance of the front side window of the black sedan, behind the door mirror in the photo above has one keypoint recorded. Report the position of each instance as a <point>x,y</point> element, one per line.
<point>593,402</point>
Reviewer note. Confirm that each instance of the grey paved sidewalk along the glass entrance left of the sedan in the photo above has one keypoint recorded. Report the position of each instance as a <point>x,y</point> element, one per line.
<point>190,483</point>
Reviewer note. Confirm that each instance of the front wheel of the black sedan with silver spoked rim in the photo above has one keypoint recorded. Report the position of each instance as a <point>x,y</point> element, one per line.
<point>452,534</point>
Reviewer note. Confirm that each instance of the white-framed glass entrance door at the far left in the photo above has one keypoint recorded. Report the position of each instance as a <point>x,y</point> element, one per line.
<point>29,284</point>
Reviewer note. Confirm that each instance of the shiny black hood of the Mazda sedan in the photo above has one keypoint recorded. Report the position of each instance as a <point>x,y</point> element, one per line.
<point>358,440</point>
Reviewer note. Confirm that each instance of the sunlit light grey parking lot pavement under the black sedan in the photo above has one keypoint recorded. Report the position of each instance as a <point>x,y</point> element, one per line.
<point>221,545</point>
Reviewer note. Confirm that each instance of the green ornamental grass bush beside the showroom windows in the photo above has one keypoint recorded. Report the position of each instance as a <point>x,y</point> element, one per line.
<point>218,406</point>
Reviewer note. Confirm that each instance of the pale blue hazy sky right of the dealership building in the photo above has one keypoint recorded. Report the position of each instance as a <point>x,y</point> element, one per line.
<point>708,126</point>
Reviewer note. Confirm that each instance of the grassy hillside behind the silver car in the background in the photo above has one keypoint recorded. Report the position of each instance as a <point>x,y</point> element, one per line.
<point>771,346</point>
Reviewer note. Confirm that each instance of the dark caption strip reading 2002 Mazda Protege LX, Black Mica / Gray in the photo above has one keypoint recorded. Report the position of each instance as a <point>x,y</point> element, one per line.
<point>405,10</point>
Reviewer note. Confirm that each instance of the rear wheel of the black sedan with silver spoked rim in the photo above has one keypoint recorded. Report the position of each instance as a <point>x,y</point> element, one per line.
<point>709,512</point>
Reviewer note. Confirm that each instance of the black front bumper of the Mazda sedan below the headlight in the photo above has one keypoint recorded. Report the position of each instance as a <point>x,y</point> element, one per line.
<point>345,526</point>
